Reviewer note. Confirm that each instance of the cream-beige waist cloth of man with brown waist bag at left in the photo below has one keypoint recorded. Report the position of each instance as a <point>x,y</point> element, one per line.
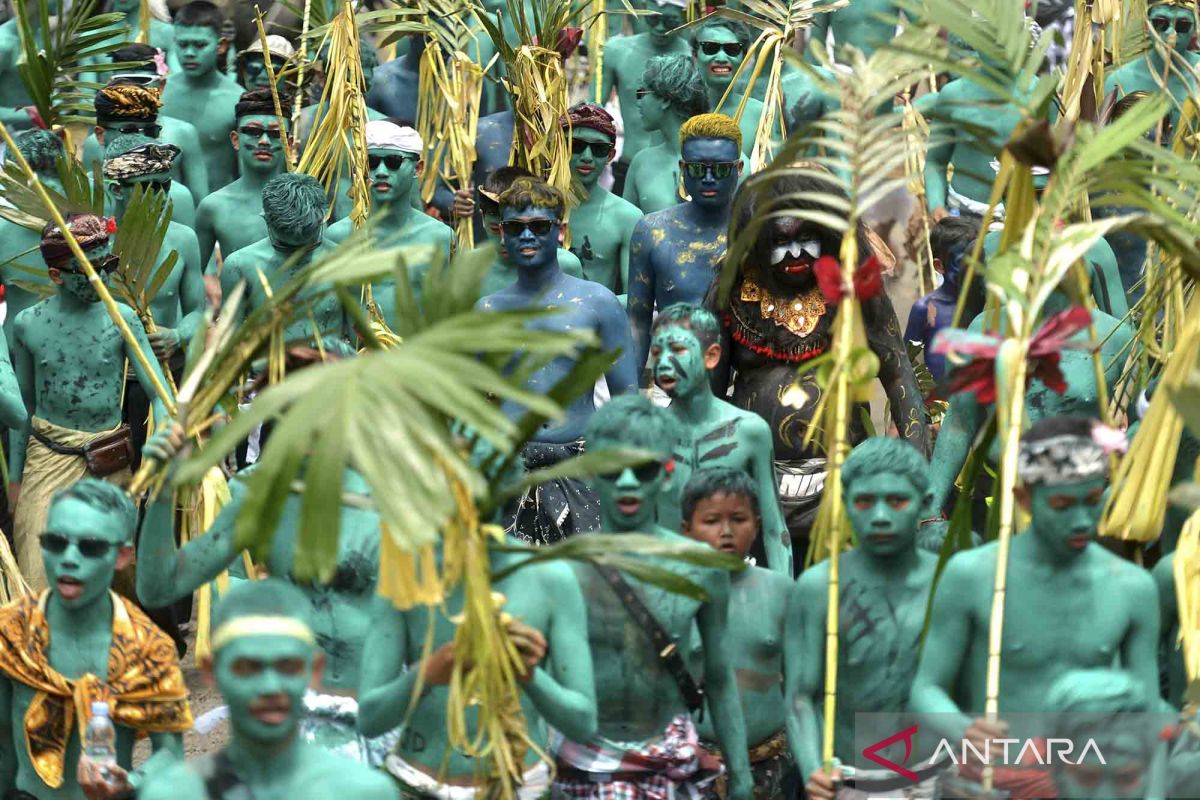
<point>46,473</point>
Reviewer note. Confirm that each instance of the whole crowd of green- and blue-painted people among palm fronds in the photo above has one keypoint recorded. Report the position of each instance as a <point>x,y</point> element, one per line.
<point>627,690</point>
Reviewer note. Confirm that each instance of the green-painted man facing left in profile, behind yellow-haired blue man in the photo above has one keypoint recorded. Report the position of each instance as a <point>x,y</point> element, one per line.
<point>671,93</point>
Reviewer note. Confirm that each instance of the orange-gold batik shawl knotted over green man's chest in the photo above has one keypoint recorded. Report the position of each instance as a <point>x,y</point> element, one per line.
<point>145,690</point>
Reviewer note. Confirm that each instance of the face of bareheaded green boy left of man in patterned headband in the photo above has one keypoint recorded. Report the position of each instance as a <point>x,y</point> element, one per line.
<point>885,512</point>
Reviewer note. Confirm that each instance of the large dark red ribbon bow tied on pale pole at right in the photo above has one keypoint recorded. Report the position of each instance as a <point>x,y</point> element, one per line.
<point>979,376</point>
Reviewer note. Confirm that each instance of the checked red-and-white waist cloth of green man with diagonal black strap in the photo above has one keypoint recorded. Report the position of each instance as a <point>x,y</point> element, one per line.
<point>673,767</point>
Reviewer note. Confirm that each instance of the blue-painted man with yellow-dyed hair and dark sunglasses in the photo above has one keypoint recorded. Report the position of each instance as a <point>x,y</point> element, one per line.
<point>675,255</point>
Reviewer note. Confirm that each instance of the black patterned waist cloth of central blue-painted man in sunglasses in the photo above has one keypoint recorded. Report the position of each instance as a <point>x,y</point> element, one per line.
<point>555,510</point>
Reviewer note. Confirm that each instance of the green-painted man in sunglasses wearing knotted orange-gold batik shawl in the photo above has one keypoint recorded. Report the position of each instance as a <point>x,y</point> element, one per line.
<point>76,649</point>
